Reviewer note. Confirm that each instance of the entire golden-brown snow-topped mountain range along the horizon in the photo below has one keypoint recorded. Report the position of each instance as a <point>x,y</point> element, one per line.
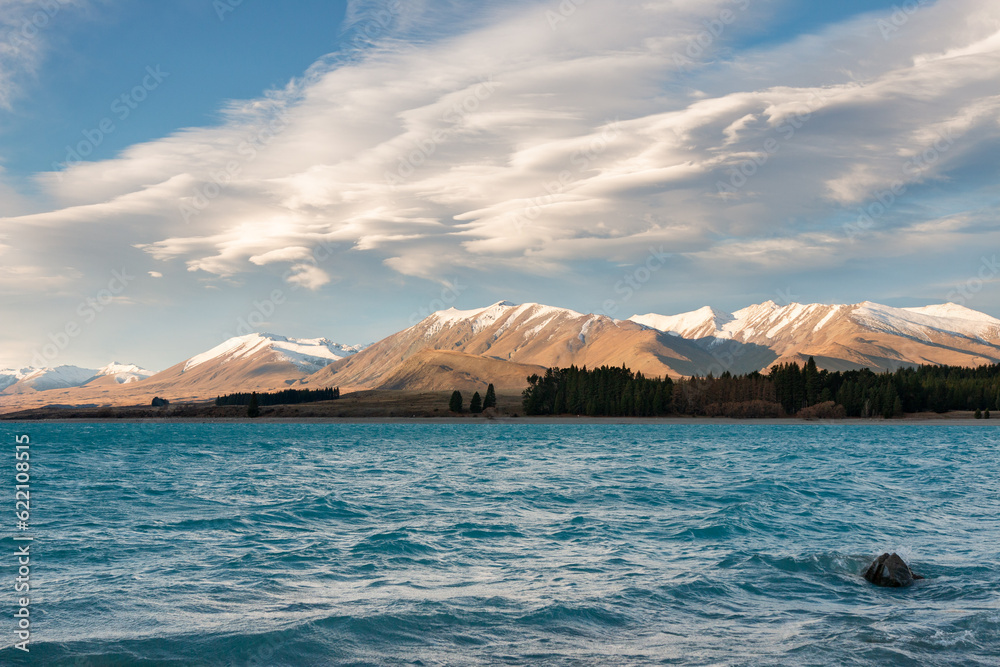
<point>505,342</point>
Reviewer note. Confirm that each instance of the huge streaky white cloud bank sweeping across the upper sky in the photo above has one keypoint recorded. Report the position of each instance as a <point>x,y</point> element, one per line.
<point>515,143</point>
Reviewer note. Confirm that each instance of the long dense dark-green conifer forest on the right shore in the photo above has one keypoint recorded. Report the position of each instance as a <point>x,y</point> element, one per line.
<point>786,389</point>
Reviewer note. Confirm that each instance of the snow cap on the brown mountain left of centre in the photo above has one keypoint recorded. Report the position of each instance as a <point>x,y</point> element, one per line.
<point>310,354</point>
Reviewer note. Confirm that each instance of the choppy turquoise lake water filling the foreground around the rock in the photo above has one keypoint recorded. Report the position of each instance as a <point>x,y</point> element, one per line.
<point>267,544</point>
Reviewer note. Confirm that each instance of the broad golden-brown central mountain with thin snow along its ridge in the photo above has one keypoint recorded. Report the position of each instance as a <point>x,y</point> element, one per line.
<point>503,344</point>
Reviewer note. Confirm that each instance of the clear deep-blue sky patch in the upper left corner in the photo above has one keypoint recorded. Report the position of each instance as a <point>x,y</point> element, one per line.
<point>102,53</point>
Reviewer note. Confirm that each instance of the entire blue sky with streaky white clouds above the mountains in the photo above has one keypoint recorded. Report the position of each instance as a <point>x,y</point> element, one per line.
<point>174,174</point>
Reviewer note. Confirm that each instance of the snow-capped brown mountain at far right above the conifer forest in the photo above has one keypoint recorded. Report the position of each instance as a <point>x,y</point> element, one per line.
<point>846,336</point>
